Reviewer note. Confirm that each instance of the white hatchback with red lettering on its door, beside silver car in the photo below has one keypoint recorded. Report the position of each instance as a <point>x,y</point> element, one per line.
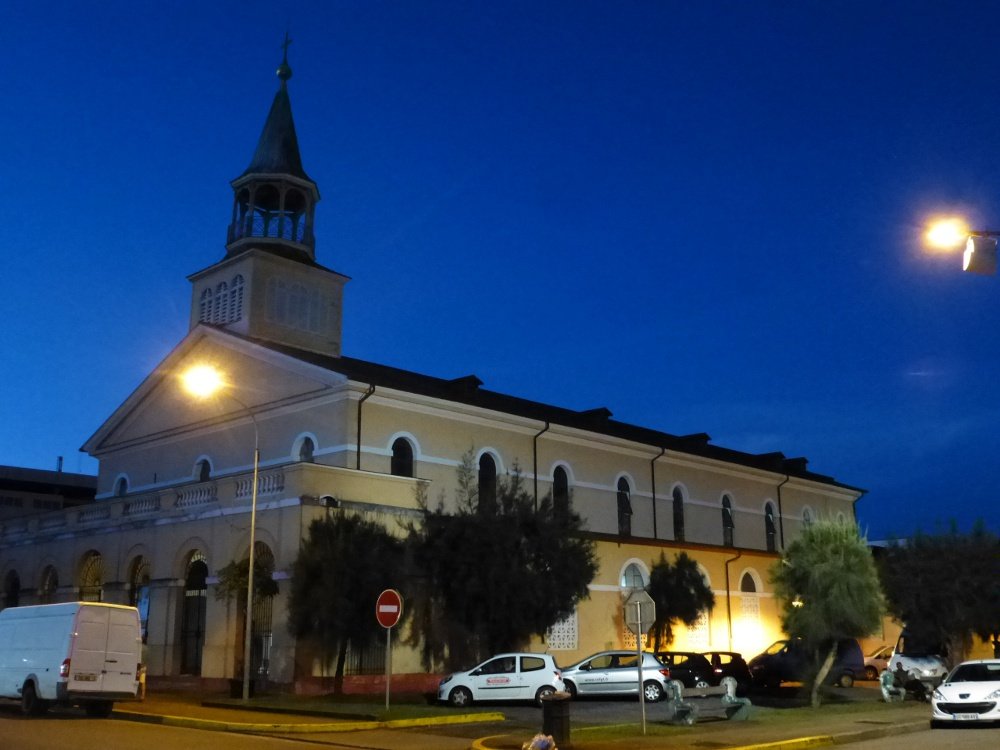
<point>504,677</point>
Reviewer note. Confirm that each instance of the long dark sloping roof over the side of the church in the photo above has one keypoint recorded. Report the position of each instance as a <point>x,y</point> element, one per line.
<point>468,390</point>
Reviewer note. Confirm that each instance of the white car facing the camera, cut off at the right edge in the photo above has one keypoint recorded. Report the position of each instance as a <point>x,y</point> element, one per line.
<point>970,693</point>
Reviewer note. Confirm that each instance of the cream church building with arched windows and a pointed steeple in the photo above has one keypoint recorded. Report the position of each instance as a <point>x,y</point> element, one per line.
<point>324,433</point>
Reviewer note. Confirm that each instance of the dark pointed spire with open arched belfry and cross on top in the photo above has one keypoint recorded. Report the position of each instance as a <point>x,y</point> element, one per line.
<point>274,197</point>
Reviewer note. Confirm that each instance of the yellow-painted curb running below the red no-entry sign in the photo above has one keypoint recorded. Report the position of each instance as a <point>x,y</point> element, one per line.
<point>277,728</point>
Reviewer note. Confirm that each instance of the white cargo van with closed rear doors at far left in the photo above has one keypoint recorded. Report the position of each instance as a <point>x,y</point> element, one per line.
<point>78,653</point>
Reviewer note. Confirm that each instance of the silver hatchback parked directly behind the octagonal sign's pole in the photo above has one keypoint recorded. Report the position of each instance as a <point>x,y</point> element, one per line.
<point>617,673</point>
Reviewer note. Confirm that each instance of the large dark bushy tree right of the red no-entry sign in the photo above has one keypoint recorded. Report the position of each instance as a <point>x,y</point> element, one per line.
<point>491,578</point>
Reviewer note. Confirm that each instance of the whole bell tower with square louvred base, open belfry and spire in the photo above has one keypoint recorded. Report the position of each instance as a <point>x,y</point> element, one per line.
<point>268,285</point>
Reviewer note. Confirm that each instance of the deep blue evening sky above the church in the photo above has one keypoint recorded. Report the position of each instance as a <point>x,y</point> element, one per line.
<point>703,215</point>
